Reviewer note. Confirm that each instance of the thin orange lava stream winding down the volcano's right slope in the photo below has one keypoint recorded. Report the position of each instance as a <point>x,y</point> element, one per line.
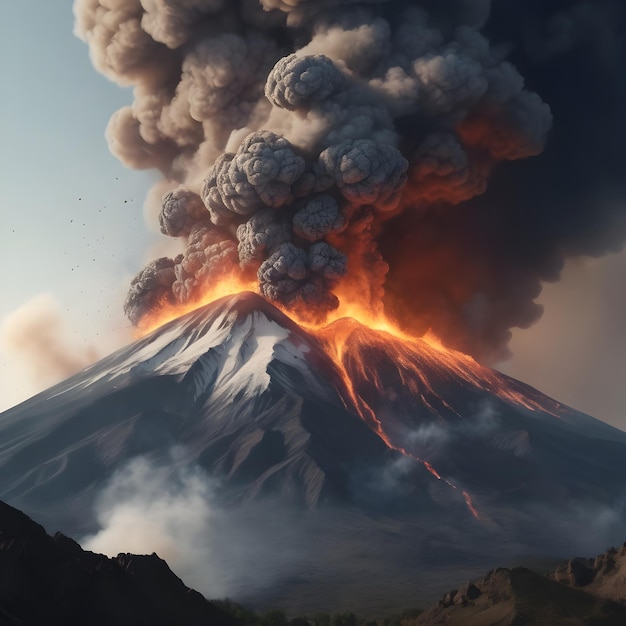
<point>334,338</point>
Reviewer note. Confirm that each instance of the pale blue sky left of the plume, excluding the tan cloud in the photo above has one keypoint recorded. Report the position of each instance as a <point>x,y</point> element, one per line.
<point>72,223</point>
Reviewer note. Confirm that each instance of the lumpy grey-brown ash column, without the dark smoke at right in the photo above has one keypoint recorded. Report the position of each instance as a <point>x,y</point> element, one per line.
<point>297,129</point>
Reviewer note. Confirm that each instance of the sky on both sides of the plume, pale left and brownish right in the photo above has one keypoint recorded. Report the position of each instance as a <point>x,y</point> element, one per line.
<point>74,234</point>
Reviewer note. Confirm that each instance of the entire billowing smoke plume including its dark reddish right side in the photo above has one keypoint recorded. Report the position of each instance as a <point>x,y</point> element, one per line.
<point>319,144</point>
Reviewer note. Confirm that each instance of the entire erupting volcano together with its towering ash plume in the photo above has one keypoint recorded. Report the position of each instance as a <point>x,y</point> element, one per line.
<point>351,246</point>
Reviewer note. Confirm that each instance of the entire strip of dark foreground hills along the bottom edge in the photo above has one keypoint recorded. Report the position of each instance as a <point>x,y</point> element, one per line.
<point>48,580</point>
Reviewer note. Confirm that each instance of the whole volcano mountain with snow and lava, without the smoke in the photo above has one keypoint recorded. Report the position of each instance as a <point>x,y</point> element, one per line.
<point>389,450</point>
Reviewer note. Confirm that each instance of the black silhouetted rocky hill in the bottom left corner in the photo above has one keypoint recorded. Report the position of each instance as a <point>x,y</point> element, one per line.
<point>50,580</point>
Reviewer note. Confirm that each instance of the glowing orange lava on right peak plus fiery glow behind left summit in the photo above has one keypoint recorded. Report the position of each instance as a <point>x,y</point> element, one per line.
<point>395,382</point>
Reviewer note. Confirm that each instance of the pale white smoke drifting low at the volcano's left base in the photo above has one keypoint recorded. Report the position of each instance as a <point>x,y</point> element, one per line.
<point>173,510</point>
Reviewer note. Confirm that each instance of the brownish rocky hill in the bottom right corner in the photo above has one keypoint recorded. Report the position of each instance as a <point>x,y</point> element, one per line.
<point>521,597</point>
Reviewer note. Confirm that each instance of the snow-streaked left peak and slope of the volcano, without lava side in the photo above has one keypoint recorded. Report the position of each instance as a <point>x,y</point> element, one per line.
<point>242,389</point>
